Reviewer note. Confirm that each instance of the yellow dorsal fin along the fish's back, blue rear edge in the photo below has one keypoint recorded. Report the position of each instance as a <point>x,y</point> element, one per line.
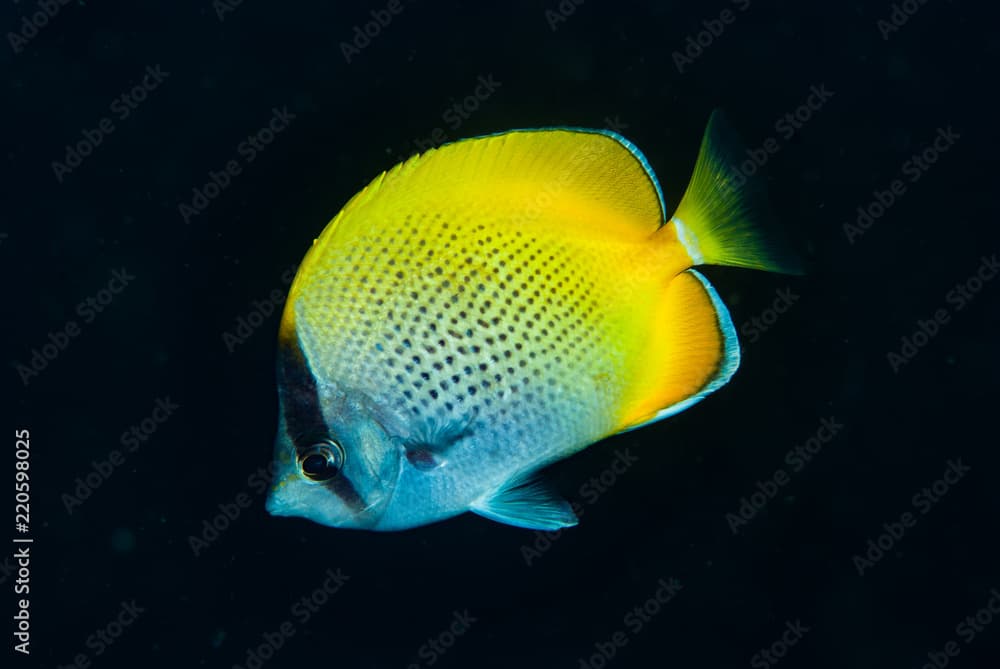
<point>583,180</point>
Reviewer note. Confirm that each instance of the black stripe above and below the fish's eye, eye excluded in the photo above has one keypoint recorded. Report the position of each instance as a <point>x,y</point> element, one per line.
<point>303,416</point>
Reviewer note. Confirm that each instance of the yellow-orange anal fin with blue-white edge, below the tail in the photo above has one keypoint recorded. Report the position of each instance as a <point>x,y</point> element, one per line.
<point>692,351</point>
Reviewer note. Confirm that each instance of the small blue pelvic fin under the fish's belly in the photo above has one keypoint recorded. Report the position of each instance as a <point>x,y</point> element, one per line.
<point>527,503</point>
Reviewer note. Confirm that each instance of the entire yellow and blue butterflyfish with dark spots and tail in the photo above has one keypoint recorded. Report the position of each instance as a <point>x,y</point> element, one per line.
<point>494,305</point>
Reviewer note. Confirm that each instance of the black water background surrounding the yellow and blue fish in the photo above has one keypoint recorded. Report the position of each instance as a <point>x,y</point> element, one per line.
<point>665,517</point>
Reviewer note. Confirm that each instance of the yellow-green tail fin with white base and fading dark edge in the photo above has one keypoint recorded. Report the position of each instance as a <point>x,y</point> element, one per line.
<point>723,218</point>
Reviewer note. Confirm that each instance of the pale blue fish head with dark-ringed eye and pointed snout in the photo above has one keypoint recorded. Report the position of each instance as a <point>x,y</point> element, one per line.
<point>339,469</point>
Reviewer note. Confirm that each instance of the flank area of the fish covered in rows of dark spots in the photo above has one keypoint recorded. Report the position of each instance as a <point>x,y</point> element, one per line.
<point>497,338</point>
